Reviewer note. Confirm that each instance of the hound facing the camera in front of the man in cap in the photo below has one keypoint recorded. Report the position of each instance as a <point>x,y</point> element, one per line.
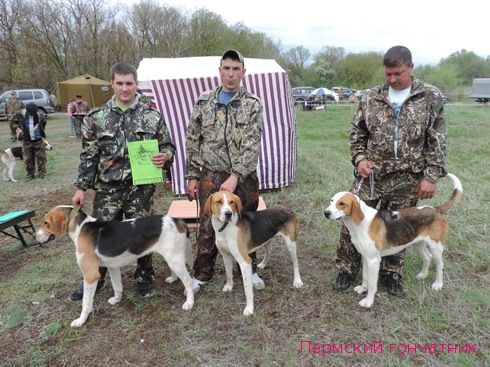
<point>239,233</point>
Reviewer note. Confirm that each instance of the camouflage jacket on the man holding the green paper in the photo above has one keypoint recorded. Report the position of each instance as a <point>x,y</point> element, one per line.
<point>104,158</point>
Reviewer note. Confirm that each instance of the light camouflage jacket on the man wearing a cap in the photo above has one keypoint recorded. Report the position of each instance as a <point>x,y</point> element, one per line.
<point>224,138</point>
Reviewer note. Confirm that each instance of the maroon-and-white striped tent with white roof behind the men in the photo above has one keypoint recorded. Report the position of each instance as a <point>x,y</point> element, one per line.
<point>174,84</point>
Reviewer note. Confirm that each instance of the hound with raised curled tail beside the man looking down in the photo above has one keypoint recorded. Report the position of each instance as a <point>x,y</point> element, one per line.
<point>377,233</point>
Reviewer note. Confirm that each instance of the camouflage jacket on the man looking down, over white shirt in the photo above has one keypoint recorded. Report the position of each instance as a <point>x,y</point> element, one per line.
<point>420,127</point>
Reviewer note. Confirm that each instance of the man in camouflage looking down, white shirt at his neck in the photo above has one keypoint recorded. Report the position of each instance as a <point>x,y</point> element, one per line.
<point>398,138</point>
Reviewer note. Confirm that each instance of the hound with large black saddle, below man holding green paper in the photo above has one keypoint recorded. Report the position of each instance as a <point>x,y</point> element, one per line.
<point>114,244</point>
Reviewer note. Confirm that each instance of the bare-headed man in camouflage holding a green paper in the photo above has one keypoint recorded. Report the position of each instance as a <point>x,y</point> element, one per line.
<point>105,166</point>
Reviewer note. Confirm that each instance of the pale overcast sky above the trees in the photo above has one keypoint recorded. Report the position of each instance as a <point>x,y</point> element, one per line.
<point>431,29</point>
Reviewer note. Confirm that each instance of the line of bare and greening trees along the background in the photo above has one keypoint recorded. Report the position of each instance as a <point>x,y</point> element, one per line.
<point>43,42</point>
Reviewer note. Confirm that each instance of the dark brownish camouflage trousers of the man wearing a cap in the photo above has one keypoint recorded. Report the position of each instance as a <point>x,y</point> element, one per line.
<point>209,183</point>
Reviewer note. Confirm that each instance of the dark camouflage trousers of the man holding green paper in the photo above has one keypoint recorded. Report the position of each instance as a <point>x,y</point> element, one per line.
<point>118,202</point>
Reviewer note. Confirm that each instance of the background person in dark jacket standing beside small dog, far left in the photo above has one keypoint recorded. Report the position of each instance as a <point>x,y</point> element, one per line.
<point>30,124</point>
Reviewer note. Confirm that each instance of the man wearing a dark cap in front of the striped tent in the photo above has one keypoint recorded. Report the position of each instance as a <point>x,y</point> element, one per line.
<point>223,143</point>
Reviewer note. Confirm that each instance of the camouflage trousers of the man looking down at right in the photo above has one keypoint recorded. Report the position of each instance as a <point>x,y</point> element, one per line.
<point>392,192</point>
